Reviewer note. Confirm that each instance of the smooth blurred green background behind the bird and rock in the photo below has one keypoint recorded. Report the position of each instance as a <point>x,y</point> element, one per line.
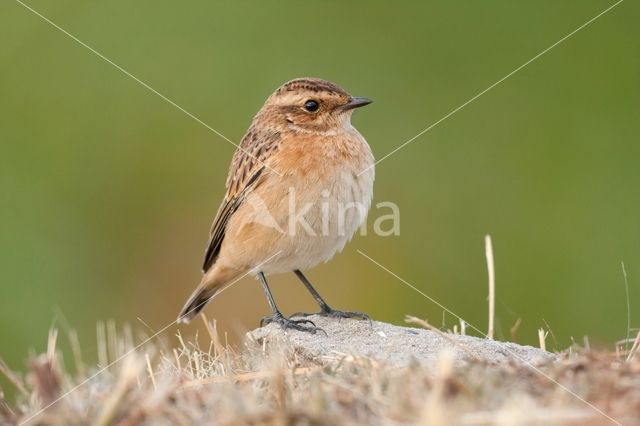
<point>108,191</point>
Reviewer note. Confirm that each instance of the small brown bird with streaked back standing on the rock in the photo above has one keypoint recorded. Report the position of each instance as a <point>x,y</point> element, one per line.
<point>299,186</point>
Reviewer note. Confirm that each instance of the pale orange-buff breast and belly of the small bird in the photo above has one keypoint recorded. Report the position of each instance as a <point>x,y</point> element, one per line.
<point>305,214</point>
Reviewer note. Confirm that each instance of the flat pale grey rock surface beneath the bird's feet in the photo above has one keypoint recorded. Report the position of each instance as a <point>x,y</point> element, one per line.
<point>395,345</point>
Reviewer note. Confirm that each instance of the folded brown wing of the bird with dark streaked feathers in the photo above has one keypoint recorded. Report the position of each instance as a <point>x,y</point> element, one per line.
<point>247,166</point>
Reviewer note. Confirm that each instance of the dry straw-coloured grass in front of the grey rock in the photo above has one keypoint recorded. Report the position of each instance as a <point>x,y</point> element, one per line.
<point>272,385</point>
